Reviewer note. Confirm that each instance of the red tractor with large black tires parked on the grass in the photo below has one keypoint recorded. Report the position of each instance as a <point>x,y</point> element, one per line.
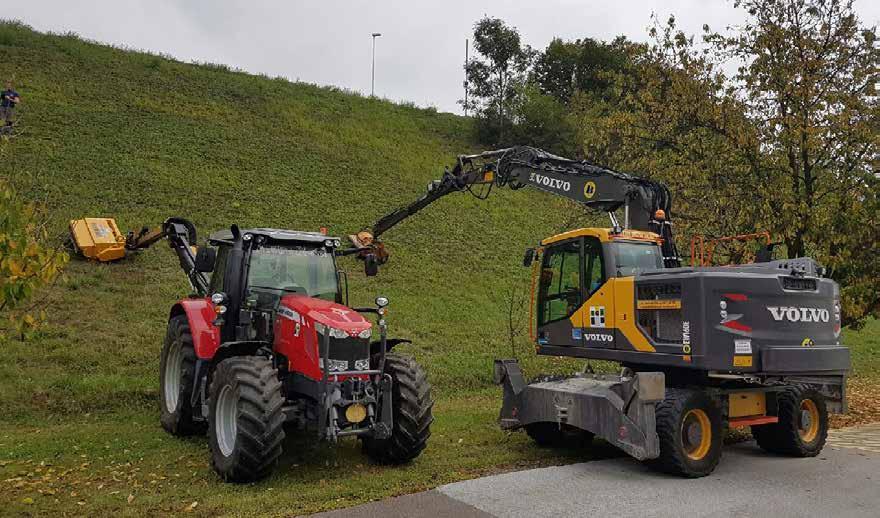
<point>265,342</point>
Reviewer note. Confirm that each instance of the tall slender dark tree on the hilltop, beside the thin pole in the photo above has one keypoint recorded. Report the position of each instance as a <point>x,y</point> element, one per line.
<point>495,76</point>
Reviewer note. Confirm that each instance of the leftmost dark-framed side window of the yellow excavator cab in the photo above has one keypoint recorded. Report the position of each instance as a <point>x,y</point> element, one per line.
<point>559,292</point>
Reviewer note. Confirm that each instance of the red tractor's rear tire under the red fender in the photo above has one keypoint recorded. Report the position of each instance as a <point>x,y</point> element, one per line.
<point>176,373</point>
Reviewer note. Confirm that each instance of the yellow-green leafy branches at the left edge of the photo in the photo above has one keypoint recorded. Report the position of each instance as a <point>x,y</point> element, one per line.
<point>26,263</point>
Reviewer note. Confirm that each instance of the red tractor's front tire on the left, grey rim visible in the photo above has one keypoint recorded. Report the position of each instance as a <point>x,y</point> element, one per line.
<point>245,423</point>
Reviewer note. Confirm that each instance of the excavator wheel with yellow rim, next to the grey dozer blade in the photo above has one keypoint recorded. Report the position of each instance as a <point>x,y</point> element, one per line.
<point>690,431</point>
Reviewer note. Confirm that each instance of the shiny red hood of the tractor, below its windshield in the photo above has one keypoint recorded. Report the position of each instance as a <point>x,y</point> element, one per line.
<point>295,334</point>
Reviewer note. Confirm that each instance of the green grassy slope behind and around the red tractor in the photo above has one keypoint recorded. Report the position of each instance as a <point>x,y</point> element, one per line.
<point>137,137</point>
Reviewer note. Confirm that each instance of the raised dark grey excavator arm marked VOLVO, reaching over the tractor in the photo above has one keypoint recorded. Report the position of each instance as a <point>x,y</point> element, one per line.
<point>646,203</point>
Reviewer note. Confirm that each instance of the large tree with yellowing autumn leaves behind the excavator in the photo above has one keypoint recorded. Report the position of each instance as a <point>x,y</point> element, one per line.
<point>786,143</point>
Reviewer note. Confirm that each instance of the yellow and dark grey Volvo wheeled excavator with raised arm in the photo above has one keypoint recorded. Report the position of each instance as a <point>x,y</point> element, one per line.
<point>700,348</point>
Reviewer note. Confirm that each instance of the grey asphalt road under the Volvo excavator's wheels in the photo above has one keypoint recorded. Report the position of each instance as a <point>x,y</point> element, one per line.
<point>841,482</point>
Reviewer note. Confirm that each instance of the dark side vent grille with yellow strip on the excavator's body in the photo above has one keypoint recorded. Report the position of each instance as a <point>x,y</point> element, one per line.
<point>659,311</point>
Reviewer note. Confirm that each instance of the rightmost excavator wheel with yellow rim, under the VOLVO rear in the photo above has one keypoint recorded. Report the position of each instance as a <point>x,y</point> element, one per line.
<point>803,424</point>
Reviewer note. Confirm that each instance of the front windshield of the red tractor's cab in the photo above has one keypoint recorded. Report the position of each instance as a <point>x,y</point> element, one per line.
<point>310,271</point>
